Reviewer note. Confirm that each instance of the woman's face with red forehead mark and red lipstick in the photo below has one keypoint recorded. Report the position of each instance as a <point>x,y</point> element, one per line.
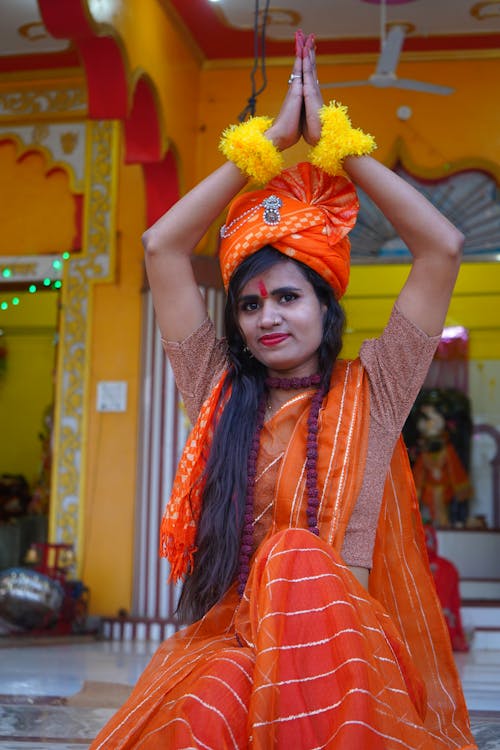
<point>281,320</point>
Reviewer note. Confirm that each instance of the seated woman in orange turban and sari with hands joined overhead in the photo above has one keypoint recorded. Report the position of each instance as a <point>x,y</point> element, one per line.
<point>293,485</point>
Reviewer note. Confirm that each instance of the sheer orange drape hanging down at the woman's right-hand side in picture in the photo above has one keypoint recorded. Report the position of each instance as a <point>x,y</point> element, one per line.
<point>402,581</point>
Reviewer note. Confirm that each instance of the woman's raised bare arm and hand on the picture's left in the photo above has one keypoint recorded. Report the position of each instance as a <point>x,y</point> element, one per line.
<point>170,242</point>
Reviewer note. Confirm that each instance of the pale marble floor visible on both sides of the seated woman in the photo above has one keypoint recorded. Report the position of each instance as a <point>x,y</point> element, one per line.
<point>54,696</point>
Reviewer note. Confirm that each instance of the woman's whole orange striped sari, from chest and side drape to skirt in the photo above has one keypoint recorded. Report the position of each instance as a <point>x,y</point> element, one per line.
<point>309,659</point>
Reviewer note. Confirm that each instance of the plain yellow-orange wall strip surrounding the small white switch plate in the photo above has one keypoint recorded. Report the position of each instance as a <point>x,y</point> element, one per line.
<point>112,437</point>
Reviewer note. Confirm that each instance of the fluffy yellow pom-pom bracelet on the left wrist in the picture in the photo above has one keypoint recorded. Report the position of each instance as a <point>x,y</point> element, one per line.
<point>247,147</point>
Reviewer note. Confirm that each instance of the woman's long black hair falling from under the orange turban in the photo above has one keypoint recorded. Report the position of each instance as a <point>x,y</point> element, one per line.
<point>221,520</point>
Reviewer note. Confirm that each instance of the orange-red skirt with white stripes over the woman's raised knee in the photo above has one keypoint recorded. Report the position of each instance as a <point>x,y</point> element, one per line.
<point>308,659</point>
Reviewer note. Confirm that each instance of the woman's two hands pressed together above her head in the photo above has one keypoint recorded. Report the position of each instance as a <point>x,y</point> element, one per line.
<point>298,116</point>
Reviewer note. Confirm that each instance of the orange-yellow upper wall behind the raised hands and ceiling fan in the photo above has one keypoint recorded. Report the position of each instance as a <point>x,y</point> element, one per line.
<point>441,131</point>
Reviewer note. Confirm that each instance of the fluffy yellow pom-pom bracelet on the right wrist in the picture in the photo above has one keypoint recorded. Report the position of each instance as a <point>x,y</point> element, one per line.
<point>338,139</point>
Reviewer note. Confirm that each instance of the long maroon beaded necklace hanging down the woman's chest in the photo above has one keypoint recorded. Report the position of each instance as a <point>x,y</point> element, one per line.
<point>246,547</point>
